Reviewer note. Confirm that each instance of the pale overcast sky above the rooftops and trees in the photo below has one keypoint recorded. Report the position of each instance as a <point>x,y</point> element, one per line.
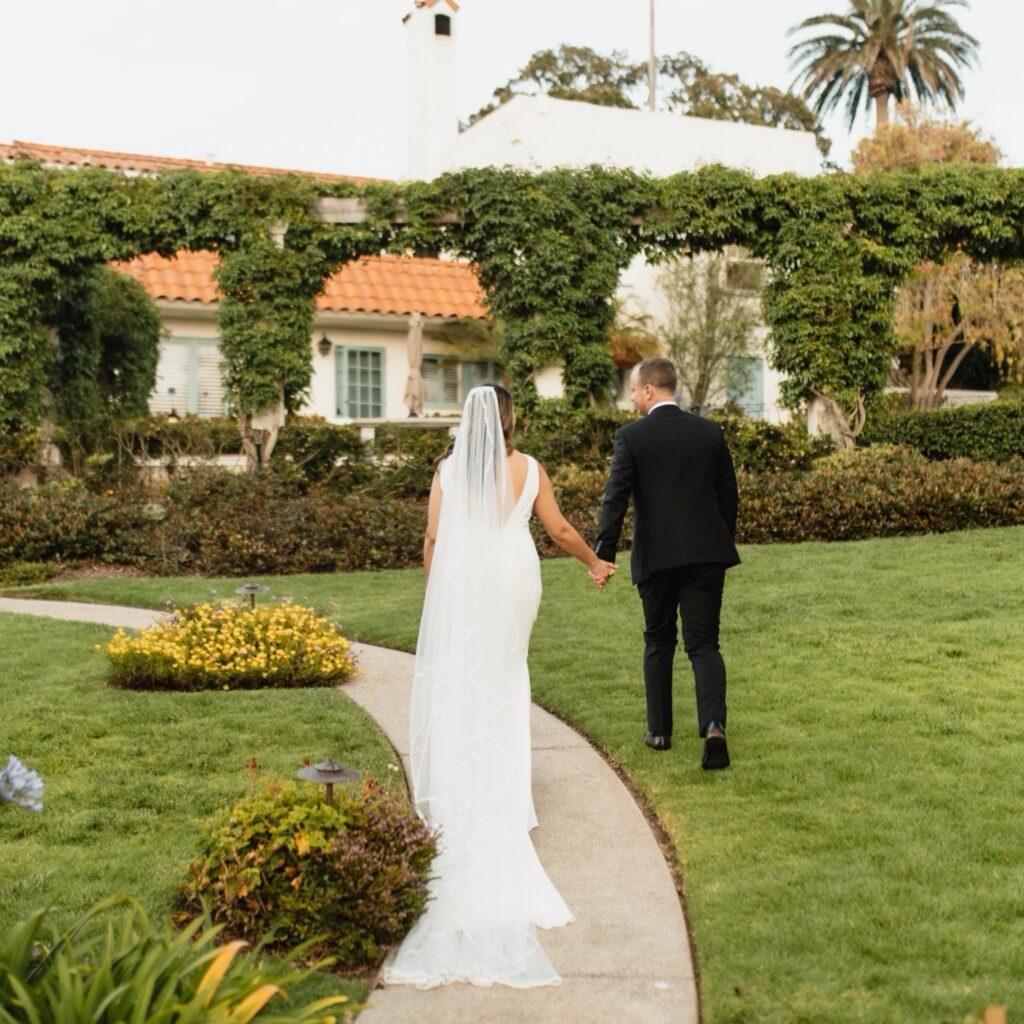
<point>321,84</point>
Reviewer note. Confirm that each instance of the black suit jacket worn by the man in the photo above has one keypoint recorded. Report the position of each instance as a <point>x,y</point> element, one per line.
<point>678,472</point>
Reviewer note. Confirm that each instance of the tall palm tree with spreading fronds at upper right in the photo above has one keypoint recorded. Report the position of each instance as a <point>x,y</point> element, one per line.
<point>884,49</point>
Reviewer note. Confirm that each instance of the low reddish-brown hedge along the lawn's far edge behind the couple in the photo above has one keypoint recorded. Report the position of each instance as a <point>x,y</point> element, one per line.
<point>217,523</point>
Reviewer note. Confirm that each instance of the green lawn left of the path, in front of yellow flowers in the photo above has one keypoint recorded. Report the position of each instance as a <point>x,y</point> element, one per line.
<point>130,776</point>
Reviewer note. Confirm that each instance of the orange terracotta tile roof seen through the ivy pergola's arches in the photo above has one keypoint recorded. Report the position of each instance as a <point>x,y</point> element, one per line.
<point>375,285</point>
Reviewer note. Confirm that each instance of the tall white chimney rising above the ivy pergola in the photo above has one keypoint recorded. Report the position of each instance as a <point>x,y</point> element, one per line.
<point>433,103</point>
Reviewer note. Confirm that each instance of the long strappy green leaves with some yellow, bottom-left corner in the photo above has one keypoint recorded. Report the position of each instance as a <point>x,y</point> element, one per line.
<point>112,968</point>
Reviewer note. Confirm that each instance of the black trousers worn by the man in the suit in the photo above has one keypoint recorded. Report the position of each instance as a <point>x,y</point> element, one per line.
<point>695,594</point>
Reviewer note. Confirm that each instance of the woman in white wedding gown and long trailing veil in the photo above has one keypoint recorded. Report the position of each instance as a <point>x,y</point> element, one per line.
<point>470,737</point>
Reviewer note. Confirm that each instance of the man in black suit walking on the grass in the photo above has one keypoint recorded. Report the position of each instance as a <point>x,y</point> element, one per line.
<point>677,470</point>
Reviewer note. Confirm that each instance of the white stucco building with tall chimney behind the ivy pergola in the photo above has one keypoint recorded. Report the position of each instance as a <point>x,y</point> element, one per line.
<point>537,133</point>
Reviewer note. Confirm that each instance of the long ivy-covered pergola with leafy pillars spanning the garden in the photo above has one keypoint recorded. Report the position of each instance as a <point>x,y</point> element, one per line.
<point>548,248</point>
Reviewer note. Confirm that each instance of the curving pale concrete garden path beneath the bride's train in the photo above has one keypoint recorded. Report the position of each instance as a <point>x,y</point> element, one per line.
<point>626,957</point>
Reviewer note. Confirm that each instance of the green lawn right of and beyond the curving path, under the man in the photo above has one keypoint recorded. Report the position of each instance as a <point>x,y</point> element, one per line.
<point>863,861</point>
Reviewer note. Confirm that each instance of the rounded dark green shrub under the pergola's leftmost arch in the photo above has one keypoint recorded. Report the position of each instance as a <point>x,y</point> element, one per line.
<point>108,349</point>
